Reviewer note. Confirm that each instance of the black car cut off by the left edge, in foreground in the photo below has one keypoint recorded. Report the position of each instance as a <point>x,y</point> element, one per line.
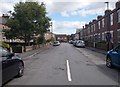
<point>12,65</point>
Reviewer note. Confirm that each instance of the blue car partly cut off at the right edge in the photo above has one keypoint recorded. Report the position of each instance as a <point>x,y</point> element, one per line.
<point>113,57</point>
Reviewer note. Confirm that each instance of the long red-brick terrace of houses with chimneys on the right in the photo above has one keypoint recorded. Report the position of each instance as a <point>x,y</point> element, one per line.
<point>94,33</point>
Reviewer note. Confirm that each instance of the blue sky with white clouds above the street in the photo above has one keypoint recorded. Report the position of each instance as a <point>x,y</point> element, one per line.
<point>67,15</point>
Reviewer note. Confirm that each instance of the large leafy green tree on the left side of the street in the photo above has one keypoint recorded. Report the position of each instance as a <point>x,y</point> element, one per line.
<point>27,21</point>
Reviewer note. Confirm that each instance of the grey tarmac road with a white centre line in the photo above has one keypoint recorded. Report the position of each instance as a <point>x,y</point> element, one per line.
<point>66,65</point>
